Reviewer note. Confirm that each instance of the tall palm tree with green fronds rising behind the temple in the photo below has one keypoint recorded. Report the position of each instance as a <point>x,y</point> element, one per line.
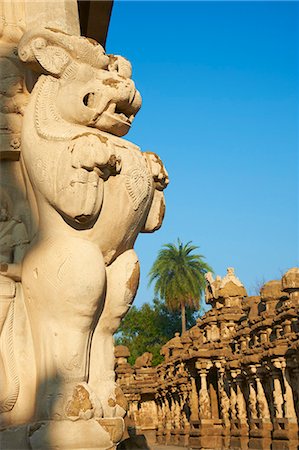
<point>178,274</point>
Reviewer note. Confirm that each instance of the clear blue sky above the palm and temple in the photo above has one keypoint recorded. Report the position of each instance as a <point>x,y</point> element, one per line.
<point>219,82</point>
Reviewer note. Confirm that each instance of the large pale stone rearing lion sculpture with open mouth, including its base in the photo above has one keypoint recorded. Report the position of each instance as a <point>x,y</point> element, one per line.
<point>67,281</point>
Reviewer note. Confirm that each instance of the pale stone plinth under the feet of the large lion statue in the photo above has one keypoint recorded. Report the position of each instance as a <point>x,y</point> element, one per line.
<point>93,434</point>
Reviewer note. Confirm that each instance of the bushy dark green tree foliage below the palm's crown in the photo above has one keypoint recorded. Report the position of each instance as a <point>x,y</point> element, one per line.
<point>147,328</point>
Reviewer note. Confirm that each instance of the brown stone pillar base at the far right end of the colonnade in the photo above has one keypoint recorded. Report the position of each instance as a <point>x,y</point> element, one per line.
<point>285,435</point>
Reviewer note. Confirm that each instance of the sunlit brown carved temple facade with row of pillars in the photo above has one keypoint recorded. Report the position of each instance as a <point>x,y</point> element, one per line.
<point>231,381</point>
